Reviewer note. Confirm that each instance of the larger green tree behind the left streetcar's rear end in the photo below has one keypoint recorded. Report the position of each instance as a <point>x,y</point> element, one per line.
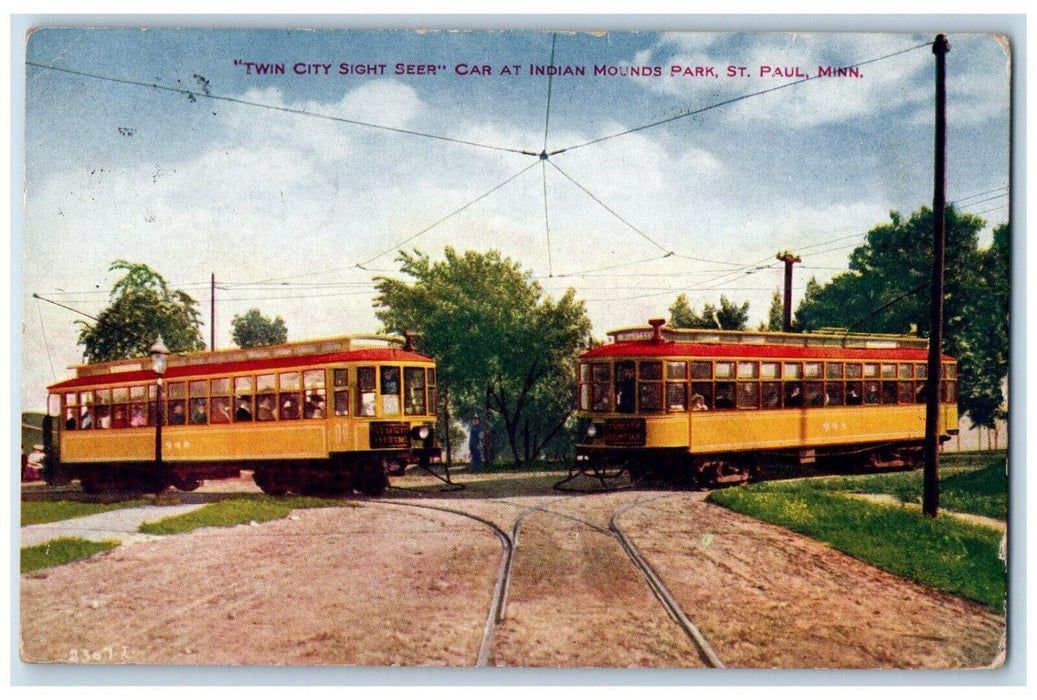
<point>142,307</point>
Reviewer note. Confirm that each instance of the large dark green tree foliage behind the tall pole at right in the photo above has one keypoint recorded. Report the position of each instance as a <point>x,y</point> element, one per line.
<point>887,291</point>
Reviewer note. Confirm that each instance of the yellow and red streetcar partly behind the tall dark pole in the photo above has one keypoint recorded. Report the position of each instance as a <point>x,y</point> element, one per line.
<point>710,407</point>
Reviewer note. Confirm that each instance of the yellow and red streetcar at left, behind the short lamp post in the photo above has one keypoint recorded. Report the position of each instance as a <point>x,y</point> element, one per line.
<point>326,416</point>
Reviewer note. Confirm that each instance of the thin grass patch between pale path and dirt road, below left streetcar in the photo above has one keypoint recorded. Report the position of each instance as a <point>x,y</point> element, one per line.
<point>238,512</point>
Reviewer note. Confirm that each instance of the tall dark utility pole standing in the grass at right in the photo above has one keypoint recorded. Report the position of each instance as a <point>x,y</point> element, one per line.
<point>931,492</point>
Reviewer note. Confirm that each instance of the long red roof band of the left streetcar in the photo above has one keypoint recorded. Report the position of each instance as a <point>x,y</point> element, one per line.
<point>174,373</point>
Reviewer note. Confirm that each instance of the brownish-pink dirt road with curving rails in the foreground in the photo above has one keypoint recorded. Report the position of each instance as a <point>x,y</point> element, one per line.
<point>382,584</point>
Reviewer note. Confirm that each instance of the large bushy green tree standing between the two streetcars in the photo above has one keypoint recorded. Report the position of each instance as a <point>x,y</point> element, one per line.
<point>499,344</point>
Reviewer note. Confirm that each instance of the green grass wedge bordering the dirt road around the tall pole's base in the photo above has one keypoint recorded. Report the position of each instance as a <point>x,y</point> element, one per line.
<point>944,553</point>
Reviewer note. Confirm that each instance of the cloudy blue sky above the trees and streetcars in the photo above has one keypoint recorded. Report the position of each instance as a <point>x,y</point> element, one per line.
<point>663,185</point>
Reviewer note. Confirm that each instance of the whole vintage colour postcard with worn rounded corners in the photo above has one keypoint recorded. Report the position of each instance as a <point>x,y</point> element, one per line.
<point>550,350</point>
